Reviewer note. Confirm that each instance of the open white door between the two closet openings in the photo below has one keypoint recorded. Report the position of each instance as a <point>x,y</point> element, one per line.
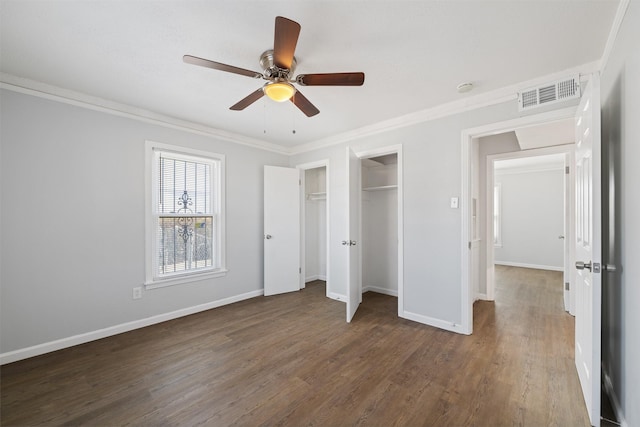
<point>354,293</point>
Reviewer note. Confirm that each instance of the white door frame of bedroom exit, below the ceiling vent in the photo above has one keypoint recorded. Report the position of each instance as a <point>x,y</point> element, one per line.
<point>468,137</point>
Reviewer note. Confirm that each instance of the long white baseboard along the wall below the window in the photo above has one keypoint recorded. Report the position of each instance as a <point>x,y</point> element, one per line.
<point>36,350</point>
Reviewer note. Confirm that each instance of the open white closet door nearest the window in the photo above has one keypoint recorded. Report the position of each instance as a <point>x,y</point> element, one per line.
<point>281,230</point>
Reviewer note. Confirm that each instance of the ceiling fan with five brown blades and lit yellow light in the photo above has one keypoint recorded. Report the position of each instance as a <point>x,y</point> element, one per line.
<point>278,65</point>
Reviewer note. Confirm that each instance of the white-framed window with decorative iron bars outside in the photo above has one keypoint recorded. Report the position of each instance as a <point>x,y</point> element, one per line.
<point>185,221</point>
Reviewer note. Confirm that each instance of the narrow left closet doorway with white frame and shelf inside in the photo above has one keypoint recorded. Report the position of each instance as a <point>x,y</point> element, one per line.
<point>314,178</point>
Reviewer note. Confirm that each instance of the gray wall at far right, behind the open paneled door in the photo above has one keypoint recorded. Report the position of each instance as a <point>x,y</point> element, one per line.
<point>620,90</point>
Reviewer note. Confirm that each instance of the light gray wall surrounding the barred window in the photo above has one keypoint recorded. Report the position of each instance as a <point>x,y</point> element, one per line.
<point>73,221</point>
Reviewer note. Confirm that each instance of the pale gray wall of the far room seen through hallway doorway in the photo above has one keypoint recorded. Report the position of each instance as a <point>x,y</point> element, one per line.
<point>532,218</point>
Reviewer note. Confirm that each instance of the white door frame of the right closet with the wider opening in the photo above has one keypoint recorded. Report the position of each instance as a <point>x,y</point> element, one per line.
<point>381,151</point>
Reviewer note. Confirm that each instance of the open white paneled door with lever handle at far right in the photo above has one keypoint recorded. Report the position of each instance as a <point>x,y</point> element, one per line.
<point>588,247</point>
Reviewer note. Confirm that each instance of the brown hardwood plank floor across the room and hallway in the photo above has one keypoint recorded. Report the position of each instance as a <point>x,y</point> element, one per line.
<point>291,360</point>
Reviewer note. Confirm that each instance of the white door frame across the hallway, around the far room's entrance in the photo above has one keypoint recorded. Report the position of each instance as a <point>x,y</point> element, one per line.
<point>567,150</point>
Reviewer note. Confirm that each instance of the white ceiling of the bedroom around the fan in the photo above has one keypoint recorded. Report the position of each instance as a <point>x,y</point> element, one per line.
<point>414,54</point>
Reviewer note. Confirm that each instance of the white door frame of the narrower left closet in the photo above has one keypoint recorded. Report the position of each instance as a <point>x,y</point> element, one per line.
<point>302,169</point>
